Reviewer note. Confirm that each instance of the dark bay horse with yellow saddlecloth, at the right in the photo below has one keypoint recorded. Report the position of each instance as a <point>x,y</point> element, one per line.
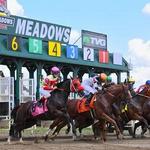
<point>136,109</point>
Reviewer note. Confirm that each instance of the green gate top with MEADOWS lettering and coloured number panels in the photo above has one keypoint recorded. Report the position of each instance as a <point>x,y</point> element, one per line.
<point>31,40</point>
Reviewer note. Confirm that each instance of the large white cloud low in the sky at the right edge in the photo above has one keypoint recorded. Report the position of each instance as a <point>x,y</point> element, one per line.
<point>139,54</point>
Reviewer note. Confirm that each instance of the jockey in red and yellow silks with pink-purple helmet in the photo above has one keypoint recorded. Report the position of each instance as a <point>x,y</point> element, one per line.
<point>49,83</point>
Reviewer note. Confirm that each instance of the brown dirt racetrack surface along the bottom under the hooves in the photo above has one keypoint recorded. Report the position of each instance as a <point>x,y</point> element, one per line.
<point>85,143</point>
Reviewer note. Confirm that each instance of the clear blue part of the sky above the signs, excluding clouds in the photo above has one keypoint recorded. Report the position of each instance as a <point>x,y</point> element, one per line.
<point>120,20</point>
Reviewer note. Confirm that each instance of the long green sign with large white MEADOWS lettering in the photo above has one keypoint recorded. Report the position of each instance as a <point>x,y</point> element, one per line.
<point>37,29</point>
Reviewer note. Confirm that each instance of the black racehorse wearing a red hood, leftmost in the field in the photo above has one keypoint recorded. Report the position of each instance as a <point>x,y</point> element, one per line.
<point>56,105</point>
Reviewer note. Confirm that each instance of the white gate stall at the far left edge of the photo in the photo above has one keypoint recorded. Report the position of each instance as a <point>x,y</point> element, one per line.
<point>6,97</point>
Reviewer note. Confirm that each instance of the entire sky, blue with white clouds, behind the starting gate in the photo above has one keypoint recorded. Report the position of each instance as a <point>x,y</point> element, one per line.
<point>126,23</point>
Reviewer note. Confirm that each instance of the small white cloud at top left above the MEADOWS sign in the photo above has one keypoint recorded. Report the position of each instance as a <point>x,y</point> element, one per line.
<point>15,8</point>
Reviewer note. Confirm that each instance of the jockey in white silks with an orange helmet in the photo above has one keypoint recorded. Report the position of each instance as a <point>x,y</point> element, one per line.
<point>90,86</point>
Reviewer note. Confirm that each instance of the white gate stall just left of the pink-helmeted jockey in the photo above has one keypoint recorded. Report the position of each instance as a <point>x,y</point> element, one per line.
<point>27,90</point>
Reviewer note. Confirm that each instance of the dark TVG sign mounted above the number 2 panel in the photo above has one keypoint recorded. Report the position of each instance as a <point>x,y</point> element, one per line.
<point>94,40</point>
